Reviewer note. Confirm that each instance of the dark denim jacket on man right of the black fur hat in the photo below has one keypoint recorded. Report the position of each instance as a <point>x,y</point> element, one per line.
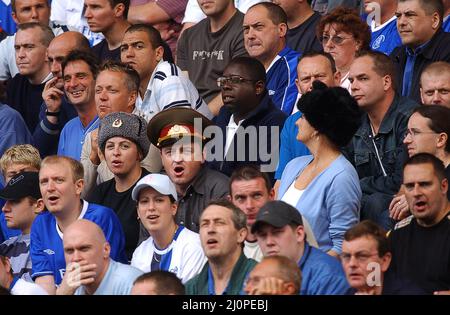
<point>379,159</point>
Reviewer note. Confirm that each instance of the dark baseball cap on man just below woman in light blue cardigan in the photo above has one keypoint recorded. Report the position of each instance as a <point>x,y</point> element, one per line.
<point>278,214</point>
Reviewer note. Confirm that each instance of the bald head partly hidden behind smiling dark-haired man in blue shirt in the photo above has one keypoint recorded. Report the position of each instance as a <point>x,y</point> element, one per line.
<point>61,46</point>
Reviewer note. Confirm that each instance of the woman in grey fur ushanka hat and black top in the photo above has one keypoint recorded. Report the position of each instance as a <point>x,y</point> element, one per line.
<point>122,138</point>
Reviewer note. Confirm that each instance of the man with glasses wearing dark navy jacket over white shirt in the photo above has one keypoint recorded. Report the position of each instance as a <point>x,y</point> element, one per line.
<point>249,121</point>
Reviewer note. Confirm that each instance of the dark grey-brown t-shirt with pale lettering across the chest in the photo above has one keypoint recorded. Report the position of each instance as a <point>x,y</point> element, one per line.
<point>205,55</point>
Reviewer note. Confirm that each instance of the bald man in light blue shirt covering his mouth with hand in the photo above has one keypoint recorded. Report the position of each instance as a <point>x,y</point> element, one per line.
<point>90,270</point>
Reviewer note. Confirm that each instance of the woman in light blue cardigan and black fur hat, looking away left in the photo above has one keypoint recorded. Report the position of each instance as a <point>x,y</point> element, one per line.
<point>324,186</point>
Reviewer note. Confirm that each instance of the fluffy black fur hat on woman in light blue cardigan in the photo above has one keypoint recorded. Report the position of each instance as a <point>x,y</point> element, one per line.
<point>333,112</point>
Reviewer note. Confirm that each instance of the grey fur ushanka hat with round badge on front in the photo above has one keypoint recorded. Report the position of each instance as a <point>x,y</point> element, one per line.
<point>129,126</point>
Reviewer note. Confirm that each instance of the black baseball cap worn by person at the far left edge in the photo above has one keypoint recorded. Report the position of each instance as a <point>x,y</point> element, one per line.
<point>25,184</point>
